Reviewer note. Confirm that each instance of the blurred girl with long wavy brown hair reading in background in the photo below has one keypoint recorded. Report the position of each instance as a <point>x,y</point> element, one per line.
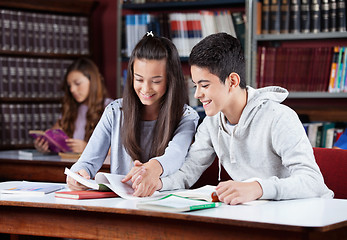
<point>82,106</point>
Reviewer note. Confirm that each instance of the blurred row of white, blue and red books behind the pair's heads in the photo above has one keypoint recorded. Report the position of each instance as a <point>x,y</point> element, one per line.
<point>184,29</point>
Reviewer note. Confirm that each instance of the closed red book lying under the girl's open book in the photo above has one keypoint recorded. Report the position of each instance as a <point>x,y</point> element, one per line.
<point>86,194</point>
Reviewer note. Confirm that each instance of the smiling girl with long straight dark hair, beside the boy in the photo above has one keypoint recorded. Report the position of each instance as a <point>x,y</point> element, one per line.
<point>151,125</point>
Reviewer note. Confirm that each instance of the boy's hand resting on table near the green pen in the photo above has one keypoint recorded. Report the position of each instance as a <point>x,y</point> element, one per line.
<point>231,192</point>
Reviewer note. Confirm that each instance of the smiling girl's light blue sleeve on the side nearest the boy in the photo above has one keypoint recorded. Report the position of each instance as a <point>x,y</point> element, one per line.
<point>177,149</point>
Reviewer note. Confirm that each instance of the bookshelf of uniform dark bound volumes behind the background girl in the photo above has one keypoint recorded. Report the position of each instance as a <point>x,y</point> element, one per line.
<point>39,40</point>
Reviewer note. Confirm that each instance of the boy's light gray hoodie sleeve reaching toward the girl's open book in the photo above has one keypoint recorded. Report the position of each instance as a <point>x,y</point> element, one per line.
<point>201,155</point>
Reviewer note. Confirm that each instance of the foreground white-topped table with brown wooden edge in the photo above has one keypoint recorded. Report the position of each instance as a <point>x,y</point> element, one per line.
<point>116,218</point>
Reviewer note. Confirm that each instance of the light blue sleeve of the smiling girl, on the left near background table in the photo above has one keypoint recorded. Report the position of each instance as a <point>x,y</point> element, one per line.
<point>96,150</point>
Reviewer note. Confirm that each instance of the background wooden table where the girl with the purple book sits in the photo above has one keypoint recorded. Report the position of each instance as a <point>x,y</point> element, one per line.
<point>46,168</point>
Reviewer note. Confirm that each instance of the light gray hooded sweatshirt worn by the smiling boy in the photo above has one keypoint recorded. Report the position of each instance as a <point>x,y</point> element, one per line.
<point>269,144</point>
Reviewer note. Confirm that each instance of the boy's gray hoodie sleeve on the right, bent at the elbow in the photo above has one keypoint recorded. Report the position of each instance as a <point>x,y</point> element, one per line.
<point>290,142</point>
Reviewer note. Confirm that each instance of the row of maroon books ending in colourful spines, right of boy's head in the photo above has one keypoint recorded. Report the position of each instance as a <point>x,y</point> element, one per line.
<point>300,68</point>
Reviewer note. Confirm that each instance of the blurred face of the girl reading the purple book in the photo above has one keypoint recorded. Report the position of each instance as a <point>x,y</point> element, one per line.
<point>78,85</point>
